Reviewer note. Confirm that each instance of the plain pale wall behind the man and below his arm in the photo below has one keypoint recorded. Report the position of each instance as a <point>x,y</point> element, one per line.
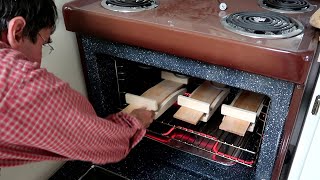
<point>64,62</point>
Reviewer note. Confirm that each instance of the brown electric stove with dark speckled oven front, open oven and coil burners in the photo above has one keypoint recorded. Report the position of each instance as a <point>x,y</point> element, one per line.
<point>194,39</point>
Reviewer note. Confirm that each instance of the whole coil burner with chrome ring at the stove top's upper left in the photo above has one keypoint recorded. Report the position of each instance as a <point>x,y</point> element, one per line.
<point>129,5</point>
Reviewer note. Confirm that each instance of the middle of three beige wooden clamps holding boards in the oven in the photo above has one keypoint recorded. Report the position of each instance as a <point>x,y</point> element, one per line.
<point>202,103</point>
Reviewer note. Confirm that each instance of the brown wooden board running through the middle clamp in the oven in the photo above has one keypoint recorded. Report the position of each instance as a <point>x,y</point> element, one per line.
<point>207,93</point>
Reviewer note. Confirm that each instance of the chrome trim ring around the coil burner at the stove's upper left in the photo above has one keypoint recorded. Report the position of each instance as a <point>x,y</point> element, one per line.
<point>154,4</point>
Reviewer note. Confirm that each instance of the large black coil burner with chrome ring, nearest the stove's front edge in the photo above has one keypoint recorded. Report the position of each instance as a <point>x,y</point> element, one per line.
<point>267,25</point>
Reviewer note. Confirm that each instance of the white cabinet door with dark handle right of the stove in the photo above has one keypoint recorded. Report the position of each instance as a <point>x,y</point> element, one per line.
<point>305,164</point>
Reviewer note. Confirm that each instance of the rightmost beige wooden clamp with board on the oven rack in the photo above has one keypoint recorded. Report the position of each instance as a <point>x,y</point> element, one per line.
<point>241,114</point>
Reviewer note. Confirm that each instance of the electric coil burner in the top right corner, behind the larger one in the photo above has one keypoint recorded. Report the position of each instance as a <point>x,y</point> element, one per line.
<point>286,6</point>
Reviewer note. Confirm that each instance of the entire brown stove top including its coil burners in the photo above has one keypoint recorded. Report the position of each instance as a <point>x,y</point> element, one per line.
<point>259,36</point>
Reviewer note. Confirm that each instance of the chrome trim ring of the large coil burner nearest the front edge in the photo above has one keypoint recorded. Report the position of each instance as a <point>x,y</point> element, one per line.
<point>282,36</point>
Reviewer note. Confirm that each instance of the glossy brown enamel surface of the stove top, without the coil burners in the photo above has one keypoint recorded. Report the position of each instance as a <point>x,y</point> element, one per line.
<point>193,29</point>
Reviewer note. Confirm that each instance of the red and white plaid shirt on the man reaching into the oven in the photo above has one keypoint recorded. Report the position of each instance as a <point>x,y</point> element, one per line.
<point>42,118</point>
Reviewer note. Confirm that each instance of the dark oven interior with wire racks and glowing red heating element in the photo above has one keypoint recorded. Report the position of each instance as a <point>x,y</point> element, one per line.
<point>204,139</point>
